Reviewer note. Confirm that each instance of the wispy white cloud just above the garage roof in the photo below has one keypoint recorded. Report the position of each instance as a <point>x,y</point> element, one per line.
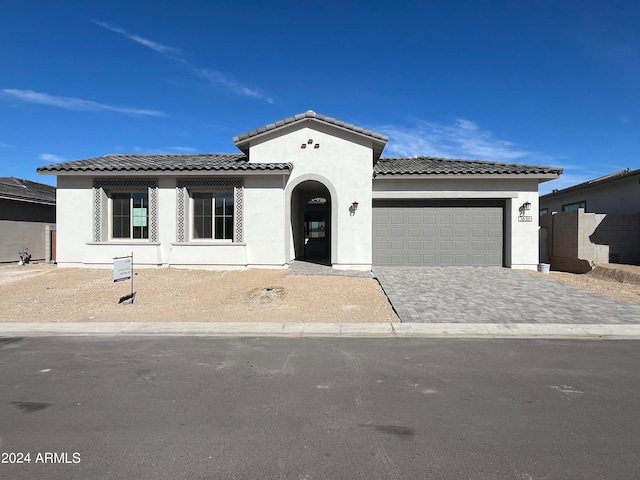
<point>462,139</point>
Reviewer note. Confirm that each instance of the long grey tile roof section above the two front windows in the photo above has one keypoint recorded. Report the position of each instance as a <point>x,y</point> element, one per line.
<point>165,163</point>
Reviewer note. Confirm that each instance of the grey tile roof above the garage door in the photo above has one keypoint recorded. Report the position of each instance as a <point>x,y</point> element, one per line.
<point>444,166</point>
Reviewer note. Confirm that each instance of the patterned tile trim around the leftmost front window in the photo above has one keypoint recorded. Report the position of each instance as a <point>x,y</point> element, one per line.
<point>100,215</point>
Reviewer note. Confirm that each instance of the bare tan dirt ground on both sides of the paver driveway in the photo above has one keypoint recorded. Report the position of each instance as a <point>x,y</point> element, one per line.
<point>45,293</point>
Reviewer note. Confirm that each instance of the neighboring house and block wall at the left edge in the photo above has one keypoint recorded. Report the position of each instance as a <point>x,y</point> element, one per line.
<point>27,216</point>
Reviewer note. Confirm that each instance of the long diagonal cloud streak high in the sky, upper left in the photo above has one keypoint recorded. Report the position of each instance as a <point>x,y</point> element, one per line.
<point>213,76</point>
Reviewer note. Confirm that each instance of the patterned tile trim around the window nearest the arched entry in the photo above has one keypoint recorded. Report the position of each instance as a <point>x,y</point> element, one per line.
<point>183,187</point>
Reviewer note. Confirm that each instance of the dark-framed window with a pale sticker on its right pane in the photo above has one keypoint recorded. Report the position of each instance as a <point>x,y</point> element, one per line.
<point>130,215</point>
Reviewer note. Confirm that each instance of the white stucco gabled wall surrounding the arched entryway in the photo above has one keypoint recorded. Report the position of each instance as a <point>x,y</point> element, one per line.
<point>343,162</point>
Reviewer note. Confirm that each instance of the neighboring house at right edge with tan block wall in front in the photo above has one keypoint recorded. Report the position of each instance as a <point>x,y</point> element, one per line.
<point>591,223</point>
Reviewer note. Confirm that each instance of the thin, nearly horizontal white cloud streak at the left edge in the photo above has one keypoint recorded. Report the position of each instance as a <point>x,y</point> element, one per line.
<point>70,103</point>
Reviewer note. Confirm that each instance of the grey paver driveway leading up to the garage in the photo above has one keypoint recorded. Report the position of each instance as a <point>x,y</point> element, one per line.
<point>494,295</point>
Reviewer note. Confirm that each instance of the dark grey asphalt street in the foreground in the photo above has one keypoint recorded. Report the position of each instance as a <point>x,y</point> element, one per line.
<point>318,408</point>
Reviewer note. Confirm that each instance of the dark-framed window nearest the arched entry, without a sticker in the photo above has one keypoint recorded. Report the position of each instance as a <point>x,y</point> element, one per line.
<point>213,215</point>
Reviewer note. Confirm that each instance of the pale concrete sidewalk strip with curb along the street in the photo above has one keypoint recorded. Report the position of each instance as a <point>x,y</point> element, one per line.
<point>365,330</point>
